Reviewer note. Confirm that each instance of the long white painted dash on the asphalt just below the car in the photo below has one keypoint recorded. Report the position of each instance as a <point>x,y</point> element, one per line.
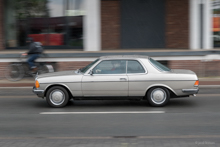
<point>119,112</point>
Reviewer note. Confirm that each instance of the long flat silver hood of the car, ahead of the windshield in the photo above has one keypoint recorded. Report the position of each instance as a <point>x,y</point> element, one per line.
<point>61,73</point>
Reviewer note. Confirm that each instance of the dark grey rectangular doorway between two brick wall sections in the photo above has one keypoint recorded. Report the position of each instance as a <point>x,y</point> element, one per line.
<point>143,24</point>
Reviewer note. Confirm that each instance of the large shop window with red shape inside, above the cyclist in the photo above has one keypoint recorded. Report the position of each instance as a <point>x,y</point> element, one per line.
<point>54,23</point>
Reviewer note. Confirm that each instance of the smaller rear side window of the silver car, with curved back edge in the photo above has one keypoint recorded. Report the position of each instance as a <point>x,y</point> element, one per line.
<point>134,67</point>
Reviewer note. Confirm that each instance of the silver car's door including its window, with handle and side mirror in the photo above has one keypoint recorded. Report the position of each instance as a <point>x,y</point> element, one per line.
<point>106,80</point>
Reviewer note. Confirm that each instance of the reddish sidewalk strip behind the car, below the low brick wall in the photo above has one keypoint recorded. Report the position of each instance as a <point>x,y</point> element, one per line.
<point>29,82</point>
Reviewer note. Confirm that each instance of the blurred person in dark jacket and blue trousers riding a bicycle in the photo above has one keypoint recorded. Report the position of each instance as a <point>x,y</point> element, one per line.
<point>35,49</point>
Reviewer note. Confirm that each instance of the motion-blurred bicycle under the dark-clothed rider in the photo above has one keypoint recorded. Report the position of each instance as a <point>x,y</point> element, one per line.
<point>18,70</point>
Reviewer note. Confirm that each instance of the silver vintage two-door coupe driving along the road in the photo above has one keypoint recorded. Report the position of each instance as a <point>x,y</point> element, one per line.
<point>117,77</point>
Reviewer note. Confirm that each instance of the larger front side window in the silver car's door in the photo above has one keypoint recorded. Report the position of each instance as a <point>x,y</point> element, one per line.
<point>111,67</point>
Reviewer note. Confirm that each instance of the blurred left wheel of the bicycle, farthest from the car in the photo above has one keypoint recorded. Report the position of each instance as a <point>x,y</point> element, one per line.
<point>14,72</point>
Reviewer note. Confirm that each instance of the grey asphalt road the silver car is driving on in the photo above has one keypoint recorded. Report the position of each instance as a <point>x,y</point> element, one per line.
<point>26,120</point>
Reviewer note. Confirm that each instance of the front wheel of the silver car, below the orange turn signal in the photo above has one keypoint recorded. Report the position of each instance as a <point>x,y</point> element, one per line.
<point>57,97</point>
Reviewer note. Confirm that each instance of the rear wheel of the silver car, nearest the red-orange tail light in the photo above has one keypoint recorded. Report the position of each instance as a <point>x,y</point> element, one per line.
<point>158,96</point>
